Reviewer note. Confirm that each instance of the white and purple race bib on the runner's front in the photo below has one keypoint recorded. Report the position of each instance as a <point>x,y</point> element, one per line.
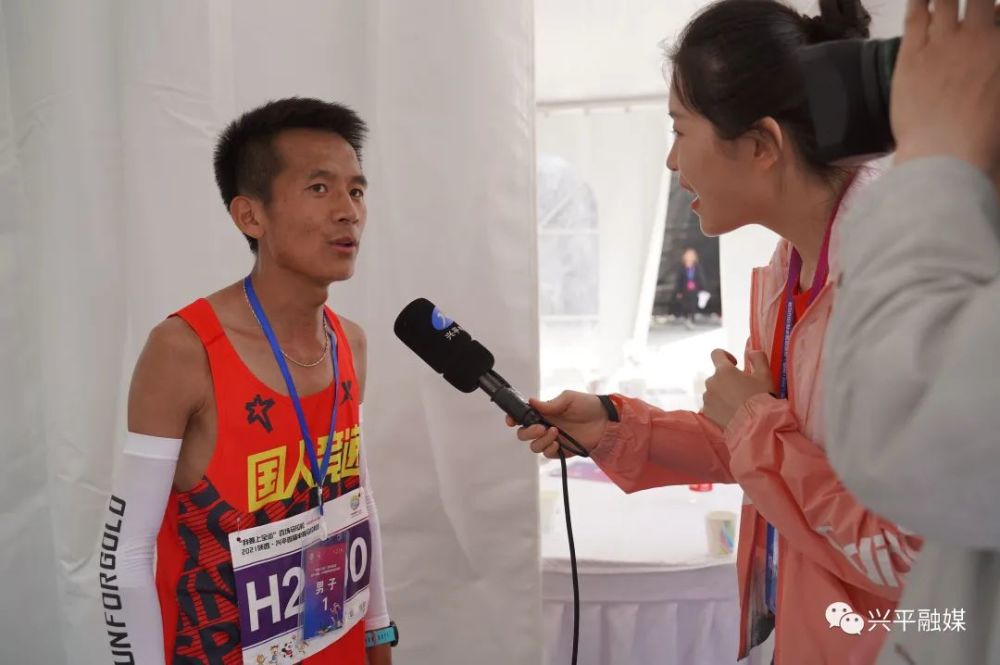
<point>297,592</point>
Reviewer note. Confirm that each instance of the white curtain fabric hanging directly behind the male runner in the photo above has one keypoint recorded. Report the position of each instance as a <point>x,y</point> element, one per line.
<point>110,220</point>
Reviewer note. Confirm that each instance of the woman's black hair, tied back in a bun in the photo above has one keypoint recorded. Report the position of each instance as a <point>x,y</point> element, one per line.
<point>736,63</point>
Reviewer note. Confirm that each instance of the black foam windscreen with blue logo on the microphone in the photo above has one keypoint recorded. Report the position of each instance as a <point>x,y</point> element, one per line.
<point>443,344</point>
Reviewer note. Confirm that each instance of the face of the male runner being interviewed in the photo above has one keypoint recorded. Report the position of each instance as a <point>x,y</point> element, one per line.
<point>314,221</point>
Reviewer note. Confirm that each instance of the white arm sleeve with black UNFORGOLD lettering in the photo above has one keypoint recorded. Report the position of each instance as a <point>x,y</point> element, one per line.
<point>140,490</point>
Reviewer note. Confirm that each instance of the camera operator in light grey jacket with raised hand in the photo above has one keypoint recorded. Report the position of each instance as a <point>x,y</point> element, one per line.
<point>913,364</point>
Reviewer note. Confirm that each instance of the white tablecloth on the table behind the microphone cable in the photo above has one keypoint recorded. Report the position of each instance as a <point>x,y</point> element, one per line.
<point>650,592</point>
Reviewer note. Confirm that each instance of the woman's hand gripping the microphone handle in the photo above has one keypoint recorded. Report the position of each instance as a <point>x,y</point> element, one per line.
<point>580,415</point>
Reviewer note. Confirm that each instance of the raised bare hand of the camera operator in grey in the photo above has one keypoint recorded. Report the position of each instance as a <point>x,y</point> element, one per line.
<point>946,86</point>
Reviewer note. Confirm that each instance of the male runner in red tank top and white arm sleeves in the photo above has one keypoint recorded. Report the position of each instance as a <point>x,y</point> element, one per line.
<point>237,403</point>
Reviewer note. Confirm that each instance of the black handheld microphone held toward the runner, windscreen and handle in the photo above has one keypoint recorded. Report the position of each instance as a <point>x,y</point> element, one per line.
<point>465,363</point>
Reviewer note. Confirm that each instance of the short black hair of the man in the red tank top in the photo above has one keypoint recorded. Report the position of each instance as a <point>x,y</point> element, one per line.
<point>246,161</point>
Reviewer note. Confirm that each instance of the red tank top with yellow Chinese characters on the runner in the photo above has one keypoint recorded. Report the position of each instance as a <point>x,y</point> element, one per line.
<point>258,474</point>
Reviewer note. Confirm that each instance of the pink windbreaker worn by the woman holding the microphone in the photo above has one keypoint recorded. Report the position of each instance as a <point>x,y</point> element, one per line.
<point>831,548</point>
